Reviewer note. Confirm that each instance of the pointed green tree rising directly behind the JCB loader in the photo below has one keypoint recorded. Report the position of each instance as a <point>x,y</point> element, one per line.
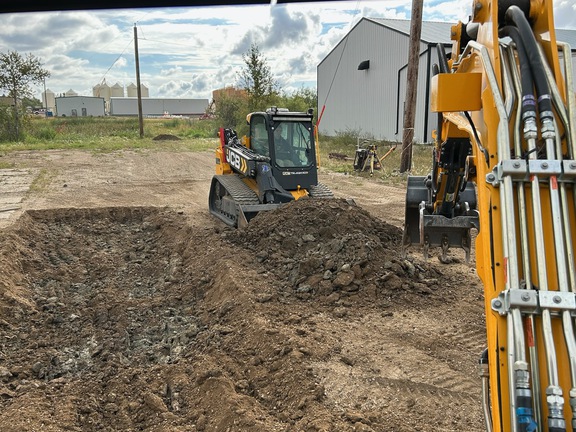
<point>256,78</point>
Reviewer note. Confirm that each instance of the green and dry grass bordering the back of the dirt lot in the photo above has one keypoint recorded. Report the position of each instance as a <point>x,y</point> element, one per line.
<point>109,134</point>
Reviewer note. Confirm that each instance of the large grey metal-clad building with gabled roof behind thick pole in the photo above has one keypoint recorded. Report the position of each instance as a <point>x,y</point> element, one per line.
<point>362,81</point>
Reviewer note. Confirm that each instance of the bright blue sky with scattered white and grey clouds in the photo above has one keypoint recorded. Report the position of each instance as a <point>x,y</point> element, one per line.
<point>189,52</point>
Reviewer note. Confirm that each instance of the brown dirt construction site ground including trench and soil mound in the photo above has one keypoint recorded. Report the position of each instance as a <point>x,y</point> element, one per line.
<point>125,306</point>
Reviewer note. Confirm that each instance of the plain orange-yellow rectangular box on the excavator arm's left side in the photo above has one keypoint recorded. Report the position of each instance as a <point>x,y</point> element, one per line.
<point>456,92</point>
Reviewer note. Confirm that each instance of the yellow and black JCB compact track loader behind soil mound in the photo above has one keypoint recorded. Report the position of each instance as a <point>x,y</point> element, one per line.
<point>275,164</point>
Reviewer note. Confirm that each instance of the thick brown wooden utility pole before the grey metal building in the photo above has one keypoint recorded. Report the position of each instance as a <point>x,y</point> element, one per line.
<point>411,86</point>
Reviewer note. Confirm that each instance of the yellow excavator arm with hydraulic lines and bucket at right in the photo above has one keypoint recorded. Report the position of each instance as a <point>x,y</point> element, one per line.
<point>504,163</point>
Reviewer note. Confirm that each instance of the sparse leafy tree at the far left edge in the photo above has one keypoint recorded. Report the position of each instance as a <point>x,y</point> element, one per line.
<point>17,74</point>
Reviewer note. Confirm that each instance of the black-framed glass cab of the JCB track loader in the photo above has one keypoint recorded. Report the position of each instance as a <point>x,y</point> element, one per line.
<point>287,138</point>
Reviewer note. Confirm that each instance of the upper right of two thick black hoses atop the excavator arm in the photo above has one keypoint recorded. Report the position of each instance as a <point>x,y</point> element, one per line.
<point>515,15</point>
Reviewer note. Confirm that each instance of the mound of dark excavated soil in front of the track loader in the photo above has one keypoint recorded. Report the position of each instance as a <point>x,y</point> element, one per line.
<point>322,247</point>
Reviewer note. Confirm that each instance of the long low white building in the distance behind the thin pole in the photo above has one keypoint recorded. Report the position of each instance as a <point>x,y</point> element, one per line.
<point>128,106</point>
